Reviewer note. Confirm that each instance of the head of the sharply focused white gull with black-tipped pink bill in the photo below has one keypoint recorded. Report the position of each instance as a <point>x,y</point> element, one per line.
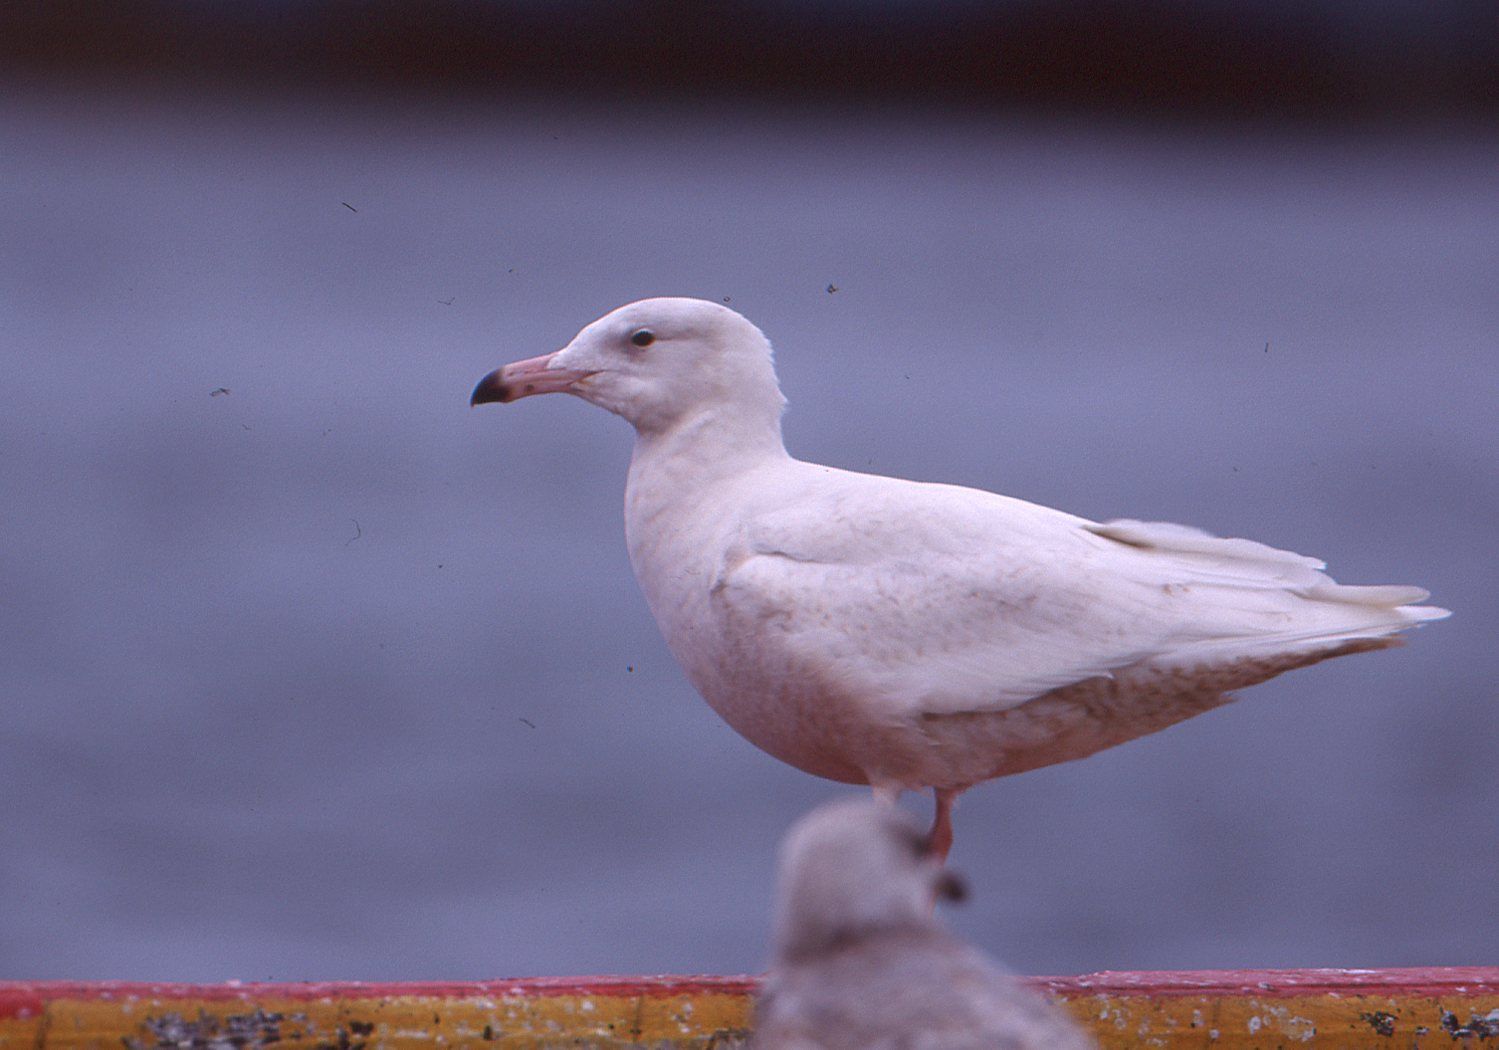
<point>654,362</point>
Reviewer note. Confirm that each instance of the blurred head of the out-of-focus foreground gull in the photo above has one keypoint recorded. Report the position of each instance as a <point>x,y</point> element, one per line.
<point>851,871</point>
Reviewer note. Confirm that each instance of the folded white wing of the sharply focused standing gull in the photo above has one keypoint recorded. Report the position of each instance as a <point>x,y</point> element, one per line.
<point>933,599</point>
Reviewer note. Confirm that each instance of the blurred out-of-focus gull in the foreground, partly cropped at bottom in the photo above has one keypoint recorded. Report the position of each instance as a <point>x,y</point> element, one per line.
<point>861,964</point>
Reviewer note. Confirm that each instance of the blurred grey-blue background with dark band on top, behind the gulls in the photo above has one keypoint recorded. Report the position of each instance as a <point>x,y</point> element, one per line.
<point>310,671</point>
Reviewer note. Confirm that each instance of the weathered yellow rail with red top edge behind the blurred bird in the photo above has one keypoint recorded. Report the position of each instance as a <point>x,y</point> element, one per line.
<point>1347,1009</point>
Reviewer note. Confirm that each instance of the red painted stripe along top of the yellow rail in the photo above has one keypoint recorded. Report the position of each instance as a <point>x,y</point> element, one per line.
<point>29,998</point>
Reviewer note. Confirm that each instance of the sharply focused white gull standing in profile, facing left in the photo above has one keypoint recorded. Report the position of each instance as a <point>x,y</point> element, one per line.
<point>909,635</point>
